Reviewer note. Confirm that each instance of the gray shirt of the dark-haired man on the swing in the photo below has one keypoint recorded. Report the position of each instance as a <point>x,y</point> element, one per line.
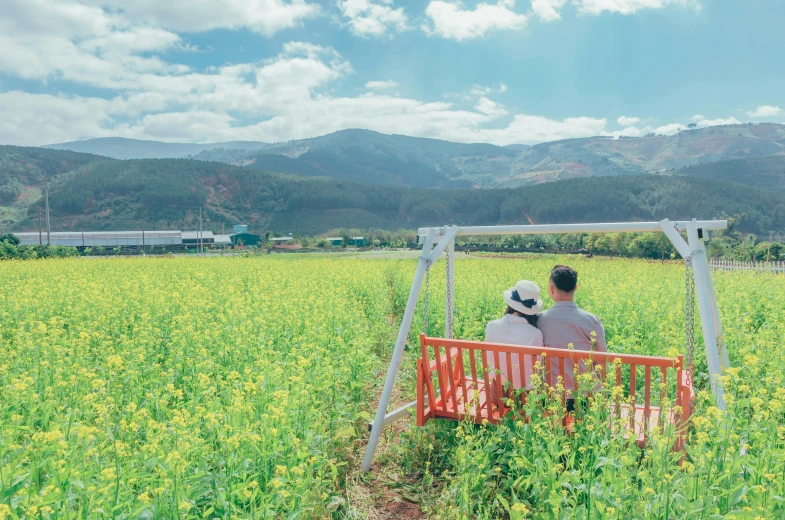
<point>566,323</point>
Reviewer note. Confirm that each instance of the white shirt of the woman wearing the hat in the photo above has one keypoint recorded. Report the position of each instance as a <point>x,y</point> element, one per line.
<point>512,330</point>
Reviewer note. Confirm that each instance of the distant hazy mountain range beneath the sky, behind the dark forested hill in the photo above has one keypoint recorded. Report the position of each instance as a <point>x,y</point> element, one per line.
<point>366,156</point>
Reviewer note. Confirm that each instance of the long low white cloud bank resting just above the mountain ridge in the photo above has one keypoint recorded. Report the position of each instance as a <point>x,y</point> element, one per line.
<point>283,98</point>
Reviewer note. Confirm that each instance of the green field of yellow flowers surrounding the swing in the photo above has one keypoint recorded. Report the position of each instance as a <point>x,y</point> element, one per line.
<point>239,388</point>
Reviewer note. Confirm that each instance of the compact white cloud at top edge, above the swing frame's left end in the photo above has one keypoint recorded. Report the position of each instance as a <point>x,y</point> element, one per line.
<point>451,20</point>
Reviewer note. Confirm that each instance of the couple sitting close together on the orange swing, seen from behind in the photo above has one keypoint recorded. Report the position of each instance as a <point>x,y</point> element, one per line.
<point>525,323</point>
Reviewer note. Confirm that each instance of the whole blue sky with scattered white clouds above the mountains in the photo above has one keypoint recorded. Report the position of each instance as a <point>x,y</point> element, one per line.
<point>503,72</point>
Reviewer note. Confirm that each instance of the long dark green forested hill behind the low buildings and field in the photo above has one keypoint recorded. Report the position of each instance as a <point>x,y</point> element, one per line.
<point>89,192</point>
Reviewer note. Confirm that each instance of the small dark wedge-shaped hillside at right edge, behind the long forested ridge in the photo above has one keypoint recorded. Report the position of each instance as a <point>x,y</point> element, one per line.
<point>764,172</point>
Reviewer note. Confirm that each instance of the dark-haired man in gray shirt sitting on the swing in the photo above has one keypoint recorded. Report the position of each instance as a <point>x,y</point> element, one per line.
<point>565,323</point>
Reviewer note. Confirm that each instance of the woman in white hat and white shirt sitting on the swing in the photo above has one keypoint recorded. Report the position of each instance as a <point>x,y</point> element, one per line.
<point>518,326</point>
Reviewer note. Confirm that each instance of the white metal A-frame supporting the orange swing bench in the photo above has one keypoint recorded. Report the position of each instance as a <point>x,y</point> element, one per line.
<point>693,251</point>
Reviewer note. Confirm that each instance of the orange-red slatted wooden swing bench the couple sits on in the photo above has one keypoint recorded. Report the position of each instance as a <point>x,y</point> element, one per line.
<point>457,392</point>
